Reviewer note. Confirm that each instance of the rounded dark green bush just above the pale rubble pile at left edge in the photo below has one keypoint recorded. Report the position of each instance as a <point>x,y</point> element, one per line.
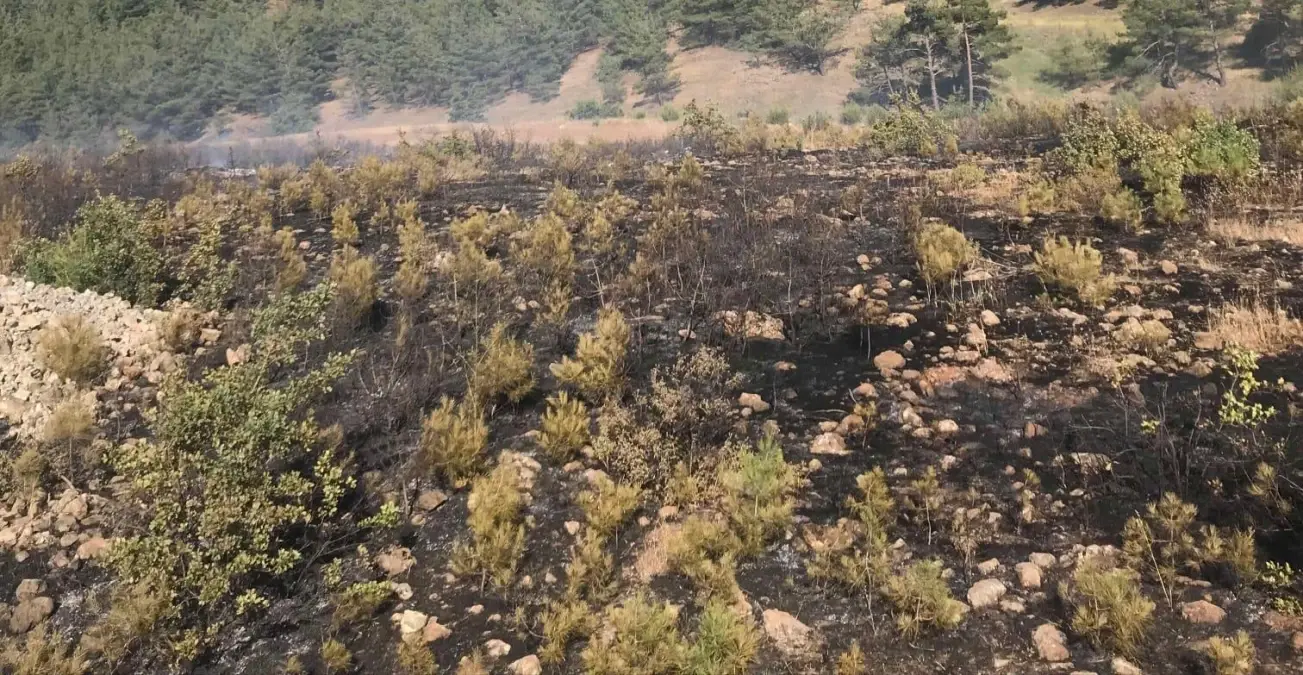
<point>110,250</point>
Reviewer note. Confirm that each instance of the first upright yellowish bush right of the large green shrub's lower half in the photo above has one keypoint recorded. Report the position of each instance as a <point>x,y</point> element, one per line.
<point>497,532</point>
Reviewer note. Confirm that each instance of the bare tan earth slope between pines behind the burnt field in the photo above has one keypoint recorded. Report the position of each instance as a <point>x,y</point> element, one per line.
<point>738,83</point>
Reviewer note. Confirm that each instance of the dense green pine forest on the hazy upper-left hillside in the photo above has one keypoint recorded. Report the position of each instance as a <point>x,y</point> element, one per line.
<point>75,70</point>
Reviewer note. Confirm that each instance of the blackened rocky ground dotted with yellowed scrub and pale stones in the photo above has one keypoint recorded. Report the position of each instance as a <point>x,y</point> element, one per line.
<point>794,438</point>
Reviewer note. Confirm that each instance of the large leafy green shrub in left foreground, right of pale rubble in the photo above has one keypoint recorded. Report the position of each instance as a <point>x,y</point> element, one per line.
<point>236,472</point>
